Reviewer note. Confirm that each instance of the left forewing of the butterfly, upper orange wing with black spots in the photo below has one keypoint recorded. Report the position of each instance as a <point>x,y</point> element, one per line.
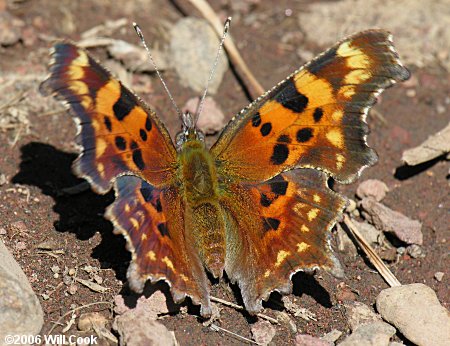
<point>118,133</point>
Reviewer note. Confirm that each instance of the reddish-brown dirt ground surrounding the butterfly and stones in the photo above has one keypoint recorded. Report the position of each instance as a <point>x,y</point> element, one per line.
<point>37,149</point>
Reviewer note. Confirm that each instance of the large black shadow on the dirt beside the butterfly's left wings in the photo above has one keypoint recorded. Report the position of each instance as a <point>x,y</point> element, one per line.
<point>81,213</point>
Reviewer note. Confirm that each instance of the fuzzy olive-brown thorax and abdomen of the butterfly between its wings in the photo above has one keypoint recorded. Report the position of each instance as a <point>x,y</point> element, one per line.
<point>203,214</point>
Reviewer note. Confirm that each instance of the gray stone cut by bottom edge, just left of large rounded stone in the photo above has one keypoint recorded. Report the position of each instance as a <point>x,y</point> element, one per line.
<point>373,334</point>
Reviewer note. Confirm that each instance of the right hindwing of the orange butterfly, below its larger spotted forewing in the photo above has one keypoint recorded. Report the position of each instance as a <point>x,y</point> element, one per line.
<point>287,231</point>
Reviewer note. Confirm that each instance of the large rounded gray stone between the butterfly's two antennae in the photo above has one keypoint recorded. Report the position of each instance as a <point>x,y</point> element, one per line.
<point>193,47</point>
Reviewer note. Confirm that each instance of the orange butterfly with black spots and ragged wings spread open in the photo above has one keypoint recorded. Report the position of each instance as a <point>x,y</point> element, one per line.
<point>257,204</point>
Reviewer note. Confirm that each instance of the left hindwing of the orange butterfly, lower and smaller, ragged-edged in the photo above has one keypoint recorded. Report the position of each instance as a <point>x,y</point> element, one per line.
<point>152,222</point>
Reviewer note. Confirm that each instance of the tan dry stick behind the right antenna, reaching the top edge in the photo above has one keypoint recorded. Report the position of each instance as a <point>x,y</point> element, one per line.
<point>249,79</point>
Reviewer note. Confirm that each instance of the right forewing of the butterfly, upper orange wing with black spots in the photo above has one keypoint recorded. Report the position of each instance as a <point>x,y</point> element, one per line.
<point>316,117</point>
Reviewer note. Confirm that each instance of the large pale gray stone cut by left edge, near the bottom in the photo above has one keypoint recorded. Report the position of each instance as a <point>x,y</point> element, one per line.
<point>20,311</point>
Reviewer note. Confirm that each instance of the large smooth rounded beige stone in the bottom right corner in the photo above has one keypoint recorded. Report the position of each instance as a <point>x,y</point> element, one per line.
<point>416,312</point>
